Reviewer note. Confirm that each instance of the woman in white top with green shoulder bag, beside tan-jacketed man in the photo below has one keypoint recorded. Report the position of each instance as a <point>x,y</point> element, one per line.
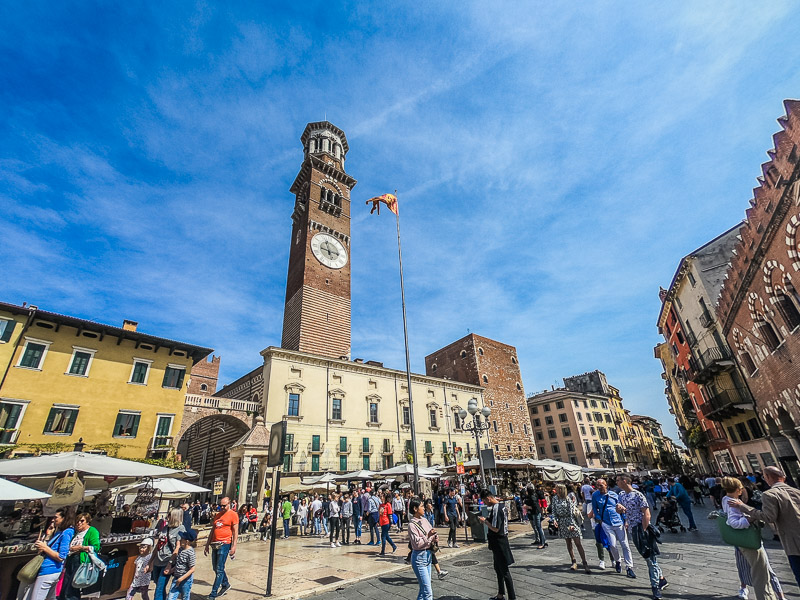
<point>753,565</point>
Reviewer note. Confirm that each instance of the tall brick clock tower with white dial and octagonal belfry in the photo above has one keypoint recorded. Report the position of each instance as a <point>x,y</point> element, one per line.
<point>316,316</point>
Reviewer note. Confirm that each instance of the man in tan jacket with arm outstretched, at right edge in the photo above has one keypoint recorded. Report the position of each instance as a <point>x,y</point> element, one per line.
<point>780,507</point>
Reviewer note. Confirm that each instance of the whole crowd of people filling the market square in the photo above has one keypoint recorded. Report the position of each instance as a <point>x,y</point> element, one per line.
<point>618,515</point>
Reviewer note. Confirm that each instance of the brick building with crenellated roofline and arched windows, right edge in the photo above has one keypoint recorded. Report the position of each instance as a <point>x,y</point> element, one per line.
<point>759,306</point>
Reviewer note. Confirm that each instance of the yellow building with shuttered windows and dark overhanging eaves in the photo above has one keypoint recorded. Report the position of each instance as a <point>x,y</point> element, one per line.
<point>64,379</point>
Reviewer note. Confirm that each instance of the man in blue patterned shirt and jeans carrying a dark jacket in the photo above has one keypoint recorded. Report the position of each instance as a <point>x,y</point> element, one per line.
<point>634,506</point>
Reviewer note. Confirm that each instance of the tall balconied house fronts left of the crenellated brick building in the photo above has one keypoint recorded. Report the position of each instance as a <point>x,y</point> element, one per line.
<point>727,433</point>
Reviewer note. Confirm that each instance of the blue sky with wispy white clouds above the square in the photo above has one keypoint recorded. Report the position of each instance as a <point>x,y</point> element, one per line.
<point>553,163</point>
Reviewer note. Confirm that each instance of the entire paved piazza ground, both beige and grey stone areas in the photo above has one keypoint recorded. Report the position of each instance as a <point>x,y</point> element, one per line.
<point>696,564</point>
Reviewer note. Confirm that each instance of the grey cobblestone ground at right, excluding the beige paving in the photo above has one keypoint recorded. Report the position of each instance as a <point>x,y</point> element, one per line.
<point>697,565</point>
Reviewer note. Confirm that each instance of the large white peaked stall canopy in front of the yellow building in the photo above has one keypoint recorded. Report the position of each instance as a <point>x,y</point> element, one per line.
<point>38,471</point>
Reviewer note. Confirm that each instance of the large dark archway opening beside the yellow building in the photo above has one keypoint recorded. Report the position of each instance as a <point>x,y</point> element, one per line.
<point>204,445</point>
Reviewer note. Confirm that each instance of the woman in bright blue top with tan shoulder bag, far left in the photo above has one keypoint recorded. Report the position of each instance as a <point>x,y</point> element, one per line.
<point>54,547</point>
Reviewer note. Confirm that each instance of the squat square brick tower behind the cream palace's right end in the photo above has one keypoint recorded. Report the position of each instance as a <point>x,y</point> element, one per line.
<point>481,361</point>
